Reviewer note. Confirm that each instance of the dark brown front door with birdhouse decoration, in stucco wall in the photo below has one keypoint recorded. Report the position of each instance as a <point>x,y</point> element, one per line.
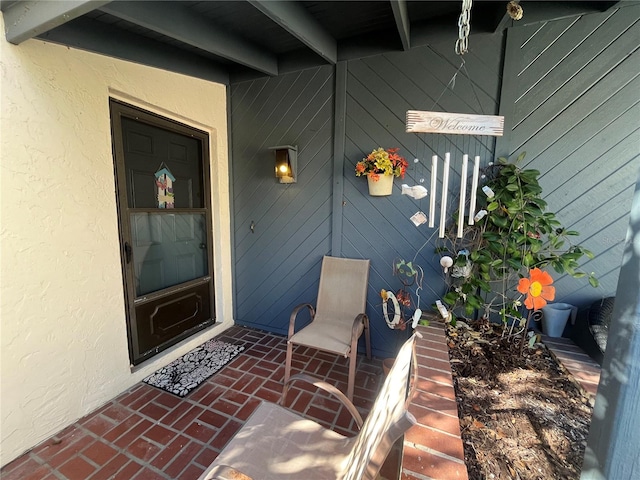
<point>162,173</point>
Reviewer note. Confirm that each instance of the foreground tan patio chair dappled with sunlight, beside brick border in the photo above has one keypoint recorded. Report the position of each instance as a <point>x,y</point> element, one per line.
<point>278,444</point>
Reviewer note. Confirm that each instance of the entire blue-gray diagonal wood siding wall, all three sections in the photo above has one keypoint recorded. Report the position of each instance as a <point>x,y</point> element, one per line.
<point>568,90</point>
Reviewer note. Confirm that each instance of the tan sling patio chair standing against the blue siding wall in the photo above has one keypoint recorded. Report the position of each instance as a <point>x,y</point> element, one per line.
<point>338,319</point>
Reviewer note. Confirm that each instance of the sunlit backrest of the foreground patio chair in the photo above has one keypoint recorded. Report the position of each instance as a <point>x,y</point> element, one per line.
<point>387,420</point>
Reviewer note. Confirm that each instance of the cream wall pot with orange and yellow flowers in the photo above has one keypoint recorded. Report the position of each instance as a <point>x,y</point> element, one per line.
<point>380,167</point>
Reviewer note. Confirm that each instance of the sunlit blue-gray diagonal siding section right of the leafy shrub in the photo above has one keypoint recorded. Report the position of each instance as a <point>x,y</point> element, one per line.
<point>570,98</point>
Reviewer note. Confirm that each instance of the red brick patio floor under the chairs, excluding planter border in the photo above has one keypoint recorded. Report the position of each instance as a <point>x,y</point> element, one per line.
<point>147,434</point>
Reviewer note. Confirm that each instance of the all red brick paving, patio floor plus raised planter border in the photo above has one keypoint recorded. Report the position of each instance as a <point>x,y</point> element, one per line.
<point>147,434</point>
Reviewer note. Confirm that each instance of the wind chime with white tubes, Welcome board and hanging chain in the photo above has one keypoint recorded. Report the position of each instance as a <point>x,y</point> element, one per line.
<point>453,124</point>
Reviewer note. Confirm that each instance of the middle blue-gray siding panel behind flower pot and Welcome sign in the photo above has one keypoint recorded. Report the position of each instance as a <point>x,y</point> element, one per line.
<point>379,92</point>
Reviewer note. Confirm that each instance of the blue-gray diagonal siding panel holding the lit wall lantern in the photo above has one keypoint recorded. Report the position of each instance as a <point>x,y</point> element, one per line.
<point>277,265</point>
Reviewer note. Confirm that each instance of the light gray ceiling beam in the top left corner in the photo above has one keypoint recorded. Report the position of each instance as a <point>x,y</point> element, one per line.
<point>28,19</point>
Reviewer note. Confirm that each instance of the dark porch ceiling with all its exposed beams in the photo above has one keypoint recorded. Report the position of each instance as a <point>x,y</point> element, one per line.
<point>229,41</point>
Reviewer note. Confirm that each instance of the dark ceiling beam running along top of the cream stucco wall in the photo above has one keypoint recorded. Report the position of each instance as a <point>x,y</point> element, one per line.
<point>99,37</point>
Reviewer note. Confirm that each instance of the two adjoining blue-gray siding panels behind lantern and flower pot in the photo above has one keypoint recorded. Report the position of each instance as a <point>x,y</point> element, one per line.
<point>278,266</point>
